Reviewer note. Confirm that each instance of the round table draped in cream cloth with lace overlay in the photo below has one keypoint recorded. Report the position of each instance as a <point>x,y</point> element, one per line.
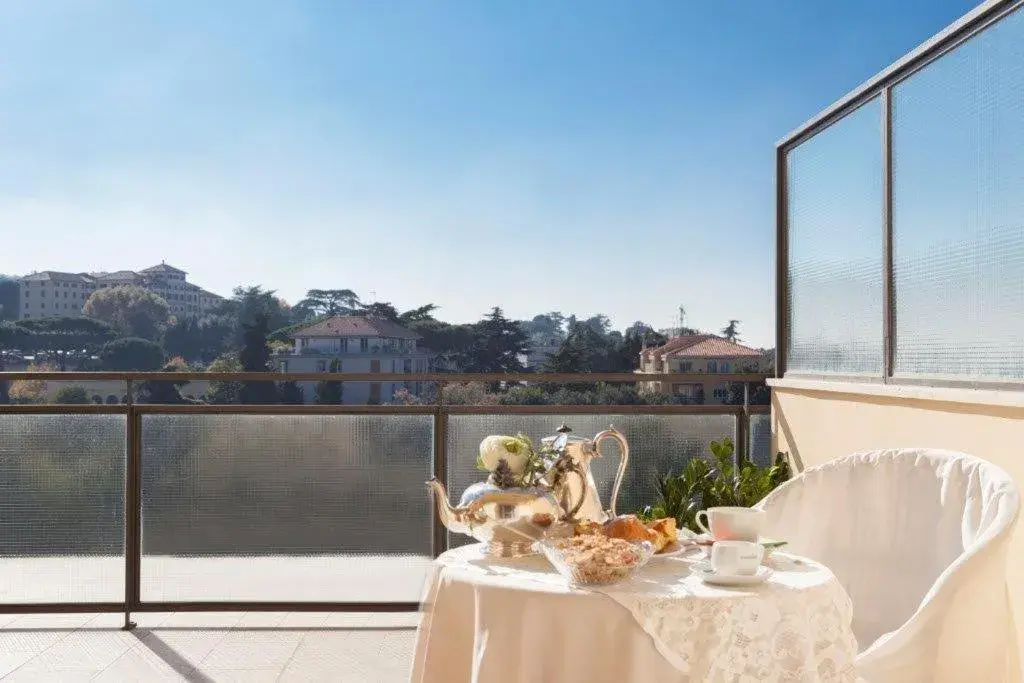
<point>517,621</point>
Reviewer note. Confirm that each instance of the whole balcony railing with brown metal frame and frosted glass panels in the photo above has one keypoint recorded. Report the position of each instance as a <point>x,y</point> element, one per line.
<point>142,507</point>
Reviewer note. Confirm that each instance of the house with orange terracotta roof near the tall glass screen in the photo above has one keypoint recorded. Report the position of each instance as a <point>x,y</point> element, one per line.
<point>701,355</point>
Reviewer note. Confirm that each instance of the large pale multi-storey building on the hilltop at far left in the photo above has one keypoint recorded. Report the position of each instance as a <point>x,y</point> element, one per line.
<point>52,294</point>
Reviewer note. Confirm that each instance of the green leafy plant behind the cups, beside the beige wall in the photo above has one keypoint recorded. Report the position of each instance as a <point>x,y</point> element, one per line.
<point>718,482</point>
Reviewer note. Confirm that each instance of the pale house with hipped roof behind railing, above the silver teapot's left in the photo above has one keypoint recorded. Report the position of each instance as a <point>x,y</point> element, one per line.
<point>356,345</point>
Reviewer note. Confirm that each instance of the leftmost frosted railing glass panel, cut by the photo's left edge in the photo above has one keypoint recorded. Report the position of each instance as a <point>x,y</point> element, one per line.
<point>62,508</point>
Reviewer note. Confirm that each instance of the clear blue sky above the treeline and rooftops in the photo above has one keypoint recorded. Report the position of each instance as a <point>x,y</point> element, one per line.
<point>583,156</point>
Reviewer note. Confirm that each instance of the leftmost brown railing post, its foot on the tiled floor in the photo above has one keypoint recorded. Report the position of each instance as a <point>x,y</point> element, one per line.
<point>134,508</point>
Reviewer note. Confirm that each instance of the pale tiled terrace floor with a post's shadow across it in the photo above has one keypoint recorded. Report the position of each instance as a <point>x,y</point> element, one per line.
<point>205,648</point>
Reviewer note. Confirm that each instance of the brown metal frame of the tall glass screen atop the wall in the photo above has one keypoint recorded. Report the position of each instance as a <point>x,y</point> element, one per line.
<point>881,88</point>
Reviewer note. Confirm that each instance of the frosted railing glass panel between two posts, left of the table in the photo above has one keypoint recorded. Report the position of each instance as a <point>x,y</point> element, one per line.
<point>286,507</point>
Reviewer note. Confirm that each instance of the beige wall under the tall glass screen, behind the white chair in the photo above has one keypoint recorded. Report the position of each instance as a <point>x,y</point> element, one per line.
<point>817,426</point>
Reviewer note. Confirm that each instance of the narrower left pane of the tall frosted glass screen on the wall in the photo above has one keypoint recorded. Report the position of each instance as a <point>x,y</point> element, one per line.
<point>836,231</point>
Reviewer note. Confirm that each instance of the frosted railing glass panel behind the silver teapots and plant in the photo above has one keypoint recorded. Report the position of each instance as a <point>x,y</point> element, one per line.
<point>658,444</point>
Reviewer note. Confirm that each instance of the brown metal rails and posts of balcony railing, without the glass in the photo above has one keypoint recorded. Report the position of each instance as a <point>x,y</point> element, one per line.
<point>441,412</point>
